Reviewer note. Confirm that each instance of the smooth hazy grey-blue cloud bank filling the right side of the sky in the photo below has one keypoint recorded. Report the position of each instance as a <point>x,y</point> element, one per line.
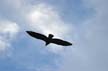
<point>91,50</point>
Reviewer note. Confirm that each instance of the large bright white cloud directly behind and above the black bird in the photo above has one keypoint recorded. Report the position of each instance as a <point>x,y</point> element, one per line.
<point>45,19</point>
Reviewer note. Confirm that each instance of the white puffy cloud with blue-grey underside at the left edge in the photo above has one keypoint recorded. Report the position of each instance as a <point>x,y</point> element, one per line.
<point>8,31</point>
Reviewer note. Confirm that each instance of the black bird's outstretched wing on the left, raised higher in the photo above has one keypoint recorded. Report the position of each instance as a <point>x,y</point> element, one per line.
<point>37,35</point>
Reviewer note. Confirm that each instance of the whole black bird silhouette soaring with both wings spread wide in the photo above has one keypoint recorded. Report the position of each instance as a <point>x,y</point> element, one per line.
<point>49,39</point>
